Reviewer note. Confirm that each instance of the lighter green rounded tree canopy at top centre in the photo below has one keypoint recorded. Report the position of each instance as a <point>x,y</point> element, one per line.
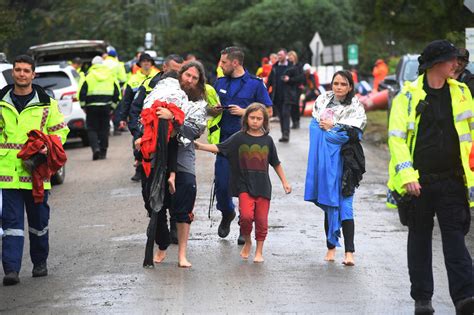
<point>259,26</point>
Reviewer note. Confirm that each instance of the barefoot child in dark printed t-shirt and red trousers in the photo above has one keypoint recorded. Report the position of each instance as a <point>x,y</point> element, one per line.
<point>250,151</point>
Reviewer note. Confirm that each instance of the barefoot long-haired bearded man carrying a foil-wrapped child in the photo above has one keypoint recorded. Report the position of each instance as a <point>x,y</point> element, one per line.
<point>188,93</point>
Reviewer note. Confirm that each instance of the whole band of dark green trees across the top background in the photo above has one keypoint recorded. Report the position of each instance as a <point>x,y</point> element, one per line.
<point>381,28</point>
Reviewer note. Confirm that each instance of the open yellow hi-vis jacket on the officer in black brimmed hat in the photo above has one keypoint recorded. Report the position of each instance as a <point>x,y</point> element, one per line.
<point>403,128</point>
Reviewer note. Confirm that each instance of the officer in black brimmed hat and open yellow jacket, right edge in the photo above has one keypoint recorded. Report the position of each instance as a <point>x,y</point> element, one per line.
<point>430,139</point>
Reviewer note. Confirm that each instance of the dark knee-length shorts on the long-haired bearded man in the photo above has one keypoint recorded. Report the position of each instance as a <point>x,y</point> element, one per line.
<point>184,198</point>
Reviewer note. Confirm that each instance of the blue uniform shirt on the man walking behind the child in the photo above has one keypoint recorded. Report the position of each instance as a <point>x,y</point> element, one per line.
<point>241,91</point>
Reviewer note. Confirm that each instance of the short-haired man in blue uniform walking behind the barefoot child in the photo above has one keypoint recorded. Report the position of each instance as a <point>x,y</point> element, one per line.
<point>237,89</point>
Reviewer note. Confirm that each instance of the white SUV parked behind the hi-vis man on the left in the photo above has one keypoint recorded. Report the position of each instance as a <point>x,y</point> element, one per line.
<point>61,82</point>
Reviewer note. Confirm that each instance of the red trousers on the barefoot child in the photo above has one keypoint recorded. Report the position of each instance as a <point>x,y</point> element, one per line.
<point>254,209</point>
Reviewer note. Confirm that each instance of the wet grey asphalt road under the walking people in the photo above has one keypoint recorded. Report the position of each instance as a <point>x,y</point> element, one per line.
<point>97,237</point>
